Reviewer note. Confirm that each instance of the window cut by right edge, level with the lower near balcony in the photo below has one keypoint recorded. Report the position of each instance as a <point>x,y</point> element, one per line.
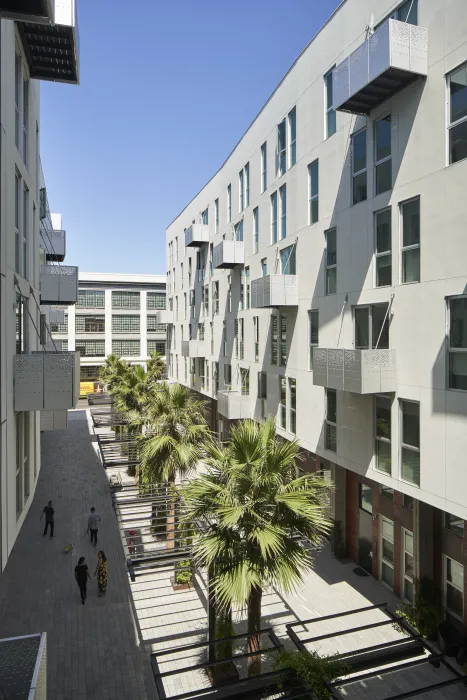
<point>458,343</point>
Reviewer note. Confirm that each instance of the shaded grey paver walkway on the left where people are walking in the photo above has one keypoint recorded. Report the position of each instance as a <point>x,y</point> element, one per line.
<point>94,650</point>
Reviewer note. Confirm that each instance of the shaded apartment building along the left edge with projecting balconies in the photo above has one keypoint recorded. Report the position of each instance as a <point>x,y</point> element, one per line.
<point>31,277</point>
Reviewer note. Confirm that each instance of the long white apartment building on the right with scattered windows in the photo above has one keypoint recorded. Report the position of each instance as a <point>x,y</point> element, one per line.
<point>321,276</point>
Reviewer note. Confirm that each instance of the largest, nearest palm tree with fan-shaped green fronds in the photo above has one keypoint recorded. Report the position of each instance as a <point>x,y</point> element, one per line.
<point>255,503</point>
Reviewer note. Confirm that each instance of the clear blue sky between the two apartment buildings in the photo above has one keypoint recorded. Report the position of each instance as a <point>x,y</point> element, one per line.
<point>167,89</point>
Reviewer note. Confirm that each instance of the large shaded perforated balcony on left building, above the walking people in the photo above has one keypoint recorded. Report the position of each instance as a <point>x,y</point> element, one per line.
<point>46,381</point>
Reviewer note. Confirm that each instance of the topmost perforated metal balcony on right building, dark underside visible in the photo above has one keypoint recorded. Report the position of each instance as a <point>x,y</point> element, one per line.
<point>391,58</point>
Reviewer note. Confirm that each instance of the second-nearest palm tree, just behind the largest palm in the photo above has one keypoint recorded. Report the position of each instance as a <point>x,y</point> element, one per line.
<point>177,427</point>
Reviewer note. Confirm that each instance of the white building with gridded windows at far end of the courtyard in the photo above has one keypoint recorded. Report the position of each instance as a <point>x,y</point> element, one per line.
<point>115,313</point>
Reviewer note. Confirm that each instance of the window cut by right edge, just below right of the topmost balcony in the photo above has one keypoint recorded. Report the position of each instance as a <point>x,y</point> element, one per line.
<point>457,129</point>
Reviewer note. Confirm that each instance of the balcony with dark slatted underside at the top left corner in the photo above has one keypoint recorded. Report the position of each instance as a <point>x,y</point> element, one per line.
<point>52,50</point>
